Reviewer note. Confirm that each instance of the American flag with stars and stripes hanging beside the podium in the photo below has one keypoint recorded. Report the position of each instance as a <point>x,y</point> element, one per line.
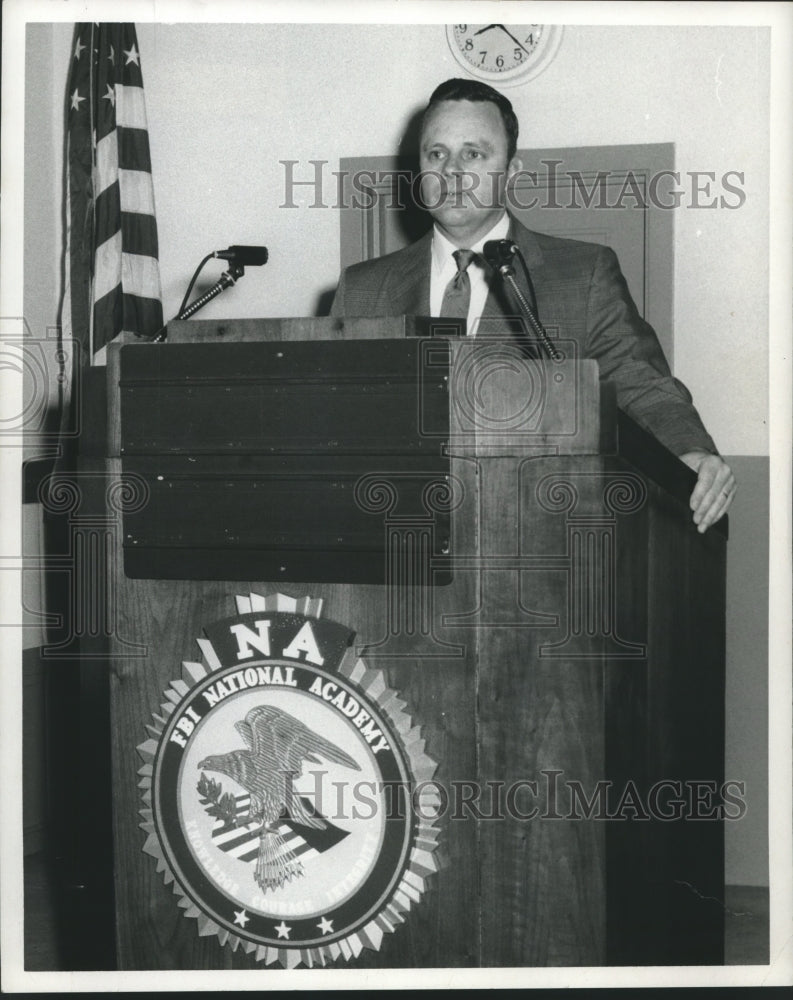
<point>112,277</point>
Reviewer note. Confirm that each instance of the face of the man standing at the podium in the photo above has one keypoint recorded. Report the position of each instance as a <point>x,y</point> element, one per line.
<point>464,162</point>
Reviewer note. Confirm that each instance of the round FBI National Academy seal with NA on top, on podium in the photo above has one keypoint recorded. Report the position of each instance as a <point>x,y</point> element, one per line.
<point>287,795</point>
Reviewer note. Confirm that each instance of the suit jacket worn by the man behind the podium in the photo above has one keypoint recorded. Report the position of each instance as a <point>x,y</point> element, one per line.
<point>581,295</point>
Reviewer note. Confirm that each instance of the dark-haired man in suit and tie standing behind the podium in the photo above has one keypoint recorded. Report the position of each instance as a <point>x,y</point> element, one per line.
<point>468,142</point>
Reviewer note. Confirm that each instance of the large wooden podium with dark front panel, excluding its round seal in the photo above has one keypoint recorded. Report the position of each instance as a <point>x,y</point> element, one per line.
<point>513,555</point>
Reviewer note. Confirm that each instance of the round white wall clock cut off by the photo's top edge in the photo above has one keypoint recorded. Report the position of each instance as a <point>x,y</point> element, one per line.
<point>504,53</point>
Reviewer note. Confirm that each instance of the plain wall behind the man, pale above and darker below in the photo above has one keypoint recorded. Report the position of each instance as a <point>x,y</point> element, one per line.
<point>226,103</point>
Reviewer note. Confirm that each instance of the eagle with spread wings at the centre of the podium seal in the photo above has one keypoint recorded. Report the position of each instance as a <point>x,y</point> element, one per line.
<point>278,746</point>
